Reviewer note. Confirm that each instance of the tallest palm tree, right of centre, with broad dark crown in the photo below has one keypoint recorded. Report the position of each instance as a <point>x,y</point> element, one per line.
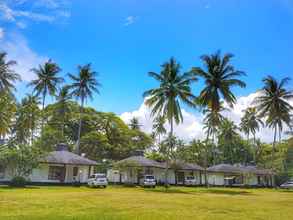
<point>219,77</point>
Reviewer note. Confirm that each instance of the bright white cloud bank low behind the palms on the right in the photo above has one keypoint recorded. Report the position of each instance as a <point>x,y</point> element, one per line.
<point>192,126</point>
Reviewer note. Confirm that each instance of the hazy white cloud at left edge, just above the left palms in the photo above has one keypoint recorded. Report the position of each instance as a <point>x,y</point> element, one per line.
<point>18,49</point>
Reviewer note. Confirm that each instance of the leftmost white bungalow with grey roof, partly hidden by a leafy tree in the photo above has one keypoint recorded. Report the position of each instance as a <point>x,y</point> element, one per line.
<point>60,166</point>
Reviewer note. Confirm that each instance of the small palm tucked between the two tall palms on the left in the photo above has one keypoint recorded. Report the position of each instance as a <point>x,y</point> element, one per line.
<point>63,99</point>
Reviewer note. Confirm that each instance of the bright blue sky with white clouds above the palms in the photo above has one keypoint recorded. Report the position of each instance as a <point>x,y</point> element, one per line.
<point>125,39</point>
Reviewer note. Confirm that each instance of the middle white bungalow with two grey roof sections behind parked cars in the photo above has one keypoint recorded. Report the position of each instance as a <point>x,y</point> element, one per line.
<point>132,169</point>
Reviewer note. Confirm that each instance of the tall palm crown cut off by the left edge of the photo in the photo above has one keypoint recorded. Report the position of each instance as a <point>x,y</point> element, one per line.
<point>7,76</point>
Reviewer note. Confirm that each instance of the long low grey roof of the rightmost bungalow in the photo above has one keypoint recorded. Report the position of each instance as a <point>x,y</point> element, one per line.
<point>228,168</point>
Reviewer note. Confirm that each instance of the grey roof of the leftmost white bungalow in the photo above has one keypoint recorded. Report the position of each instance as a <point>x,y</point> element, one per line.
<point>66,157</point>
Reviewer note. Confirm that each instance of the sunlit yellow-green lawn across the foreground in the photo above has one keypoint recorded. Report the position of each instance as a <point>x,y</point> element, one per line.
<point>57,203</point>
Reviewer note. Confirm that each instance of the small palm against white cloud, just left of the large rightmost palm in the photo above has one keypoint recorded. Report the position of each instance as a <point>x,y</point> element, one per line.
<point>250,122</point>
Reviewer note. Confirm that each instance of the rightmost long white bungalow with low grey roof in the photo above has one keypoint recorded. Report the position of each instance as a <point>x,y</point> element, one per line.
<point>237,175</point>
